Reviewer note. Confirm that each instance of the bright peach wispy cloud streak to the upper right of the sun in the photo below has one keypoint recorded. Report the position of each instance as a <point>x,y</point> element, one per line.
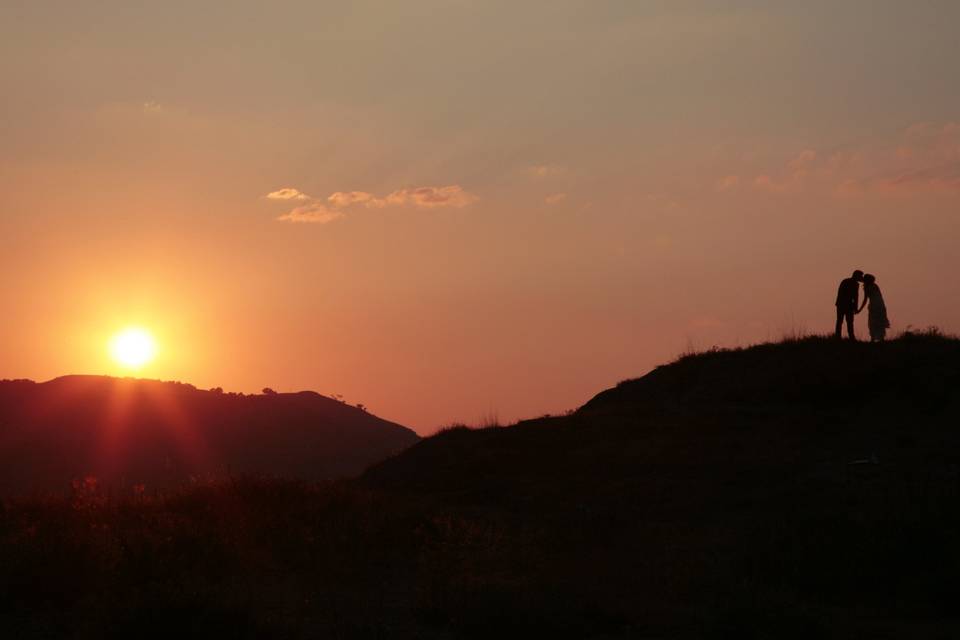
<point>337,204</point>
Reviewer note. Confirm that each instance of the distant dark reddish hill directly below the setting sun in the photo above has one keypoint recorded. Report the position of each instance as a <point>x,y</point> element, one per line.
<point>126,431</point>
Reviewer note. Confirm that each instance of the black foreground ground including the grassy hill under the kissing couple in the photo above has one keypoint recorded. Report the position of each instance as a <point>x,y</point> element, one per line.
<point>799,490</point>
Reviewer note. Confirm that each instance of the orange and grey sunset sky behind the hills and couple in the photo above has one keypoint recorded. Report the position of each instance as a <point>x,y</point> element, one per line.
<point>449,209</point>
